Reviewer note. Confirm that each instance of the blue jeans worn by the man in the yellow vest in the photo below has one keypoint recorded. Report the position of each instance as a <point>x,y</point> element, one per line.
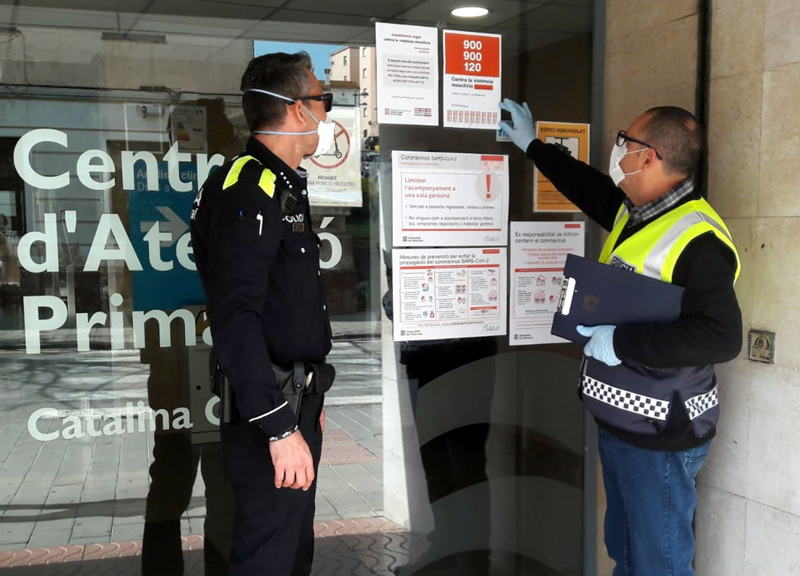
<point>651,499</point>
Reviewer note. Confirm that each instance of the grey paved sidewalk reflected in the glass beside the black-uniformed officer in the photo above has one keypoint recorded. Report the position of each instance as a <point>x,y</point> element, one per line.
<point>90,493</point>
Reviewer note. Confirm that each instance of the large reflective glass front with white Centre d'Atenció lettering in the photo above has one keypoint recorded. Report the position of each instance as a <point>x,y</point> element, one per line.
<point>458,456</point>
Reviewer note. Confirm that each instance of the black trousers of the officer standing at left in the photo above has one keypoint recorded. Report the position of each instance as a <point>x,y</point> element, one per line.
<point>273,532</point>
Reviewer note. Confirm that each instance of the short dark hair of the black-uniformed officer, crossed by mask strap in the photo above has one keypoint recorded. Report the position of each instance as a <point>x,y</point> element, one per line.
<point>281,73</point>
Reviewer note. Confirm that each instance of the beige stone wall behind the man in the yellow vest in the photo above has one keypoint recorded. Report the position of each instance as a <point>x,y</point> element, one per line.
<point>748,519</point>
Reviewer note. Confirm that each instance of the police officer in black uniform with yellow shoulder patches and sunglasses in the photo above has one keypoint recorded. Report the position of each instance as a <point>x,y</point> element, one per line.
<point>258,260</point>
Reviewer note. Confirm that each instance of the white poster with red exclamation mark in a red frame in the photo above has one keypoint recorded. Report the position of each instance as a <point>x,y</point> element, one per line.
<point>443,199</point>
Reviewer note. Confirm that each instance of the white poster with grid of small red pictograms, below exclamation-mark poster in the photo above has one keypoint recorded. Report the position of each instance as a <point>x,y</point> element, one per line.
<point>449,293</point>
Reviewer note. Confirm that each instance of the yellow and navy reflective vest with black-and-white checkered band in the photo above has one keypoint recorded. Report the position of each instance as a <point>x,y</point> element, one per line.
<point>633,397</point>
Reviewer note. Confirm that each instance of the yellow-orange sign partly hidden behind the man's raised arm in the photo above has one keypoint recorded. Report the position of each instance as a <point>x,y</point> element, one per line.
<point>575,138</point>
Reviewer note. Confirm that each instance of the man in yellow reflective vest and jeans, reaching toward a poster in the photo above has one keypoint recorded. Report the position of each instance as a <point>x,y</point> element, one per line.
<point>651,387</point>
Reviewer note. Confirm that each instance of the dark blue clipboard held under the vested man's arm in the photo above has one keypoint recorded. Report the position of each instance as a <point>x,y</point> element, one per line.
<point>594,293</point>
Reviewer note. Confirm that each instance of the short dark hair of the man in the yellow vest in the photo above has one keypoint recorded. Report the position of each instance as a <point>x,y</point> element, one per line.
<point>677,135</point>
